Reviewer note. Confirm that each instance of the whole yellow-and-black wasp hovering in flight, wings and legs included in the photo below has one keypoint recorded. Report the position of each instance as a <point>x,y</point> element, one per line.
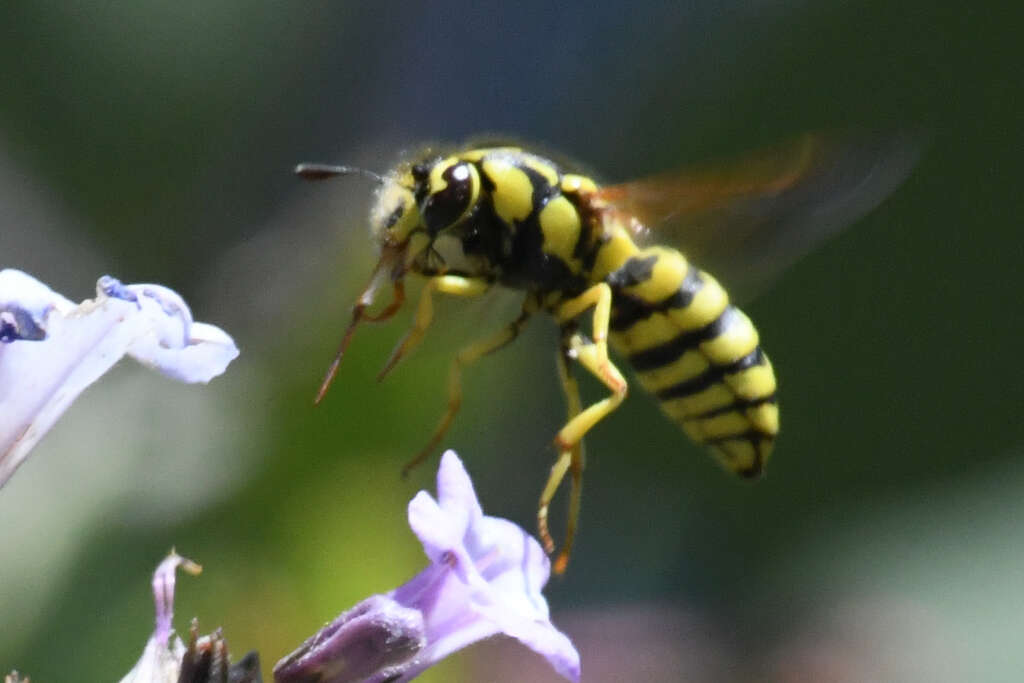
<point>502,217</point>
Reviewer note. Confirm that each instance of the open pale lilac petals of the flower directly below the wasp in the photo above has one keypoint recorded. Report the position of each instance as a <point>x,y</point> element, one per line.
<point>485,579</point>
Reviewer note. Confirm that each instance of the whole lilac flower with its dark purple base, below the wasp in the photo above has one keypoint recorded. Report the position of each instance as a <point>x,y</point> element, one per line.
<point>485,579</point>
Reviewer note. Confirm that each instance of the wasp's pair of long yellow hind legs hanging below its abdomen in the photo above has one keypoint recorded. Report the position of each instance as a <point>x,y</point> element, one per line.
<point>594,357</point>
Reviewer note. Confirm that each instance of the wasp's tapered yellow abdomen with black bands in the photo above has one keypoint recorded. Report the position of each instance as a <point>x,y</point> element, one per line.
<point>698,354</point>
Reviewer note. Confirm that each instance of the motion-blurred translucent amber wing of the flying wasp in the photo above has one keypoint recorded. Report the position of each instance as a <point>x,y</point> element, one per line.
<point>746,222</point>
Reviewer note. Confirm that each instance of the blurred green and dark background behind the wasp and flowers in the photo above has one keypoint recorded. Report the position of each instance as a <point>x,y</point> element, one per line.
<point>154,142</point>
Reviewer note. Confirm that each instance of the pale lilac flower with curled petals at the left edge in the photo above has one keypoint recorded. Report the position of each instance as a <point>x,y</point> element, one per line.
<point>52,350</point>
